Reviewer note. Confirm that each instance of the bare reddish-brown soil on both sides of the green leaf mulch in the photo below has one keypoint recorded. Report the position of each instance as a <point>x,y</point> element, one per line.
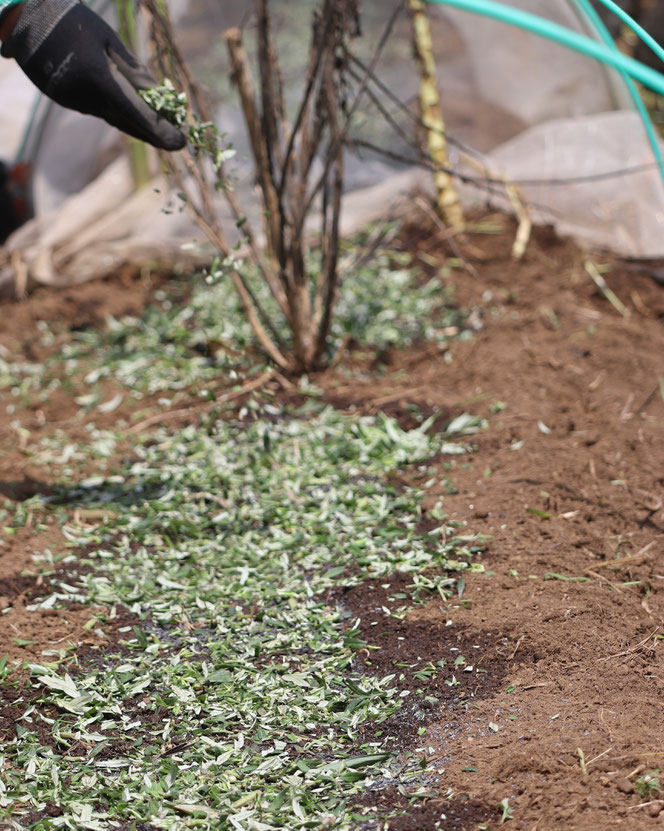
<point>562,711</point>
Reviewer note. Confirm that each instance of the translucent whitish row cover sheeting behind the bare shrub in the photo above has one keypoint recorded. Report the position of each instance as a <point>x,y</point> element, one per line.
<point>529,108</point>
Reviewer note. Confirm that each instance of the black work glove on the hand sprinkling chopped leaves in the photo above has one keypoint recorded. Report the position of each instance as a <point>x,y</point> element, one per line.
<point>76,59</point>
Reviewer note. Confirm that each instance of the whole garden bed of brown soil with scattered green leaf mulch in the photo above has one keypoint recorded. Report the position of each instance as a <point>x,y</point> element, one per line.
<point>507,578</point>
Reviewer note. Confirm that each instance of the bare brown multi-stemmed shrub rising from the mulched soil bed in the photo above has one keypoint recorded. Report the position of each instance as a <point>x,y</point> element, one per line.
<point>284,158</point>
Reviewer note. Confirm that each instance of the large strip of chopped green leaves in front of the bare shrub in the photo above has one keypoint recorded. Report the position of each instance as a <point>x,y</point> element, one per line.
<point>233,701</point>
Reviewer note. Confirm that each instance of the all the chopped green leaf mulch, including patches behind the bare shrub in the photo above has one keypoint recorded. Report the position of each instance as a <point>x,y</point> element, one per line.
<point>229,698</point>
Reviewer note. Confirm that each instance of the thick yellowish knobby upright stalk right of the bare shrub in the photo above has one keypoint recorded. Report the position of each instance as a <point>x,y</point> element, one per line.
<point>447,202</point>
